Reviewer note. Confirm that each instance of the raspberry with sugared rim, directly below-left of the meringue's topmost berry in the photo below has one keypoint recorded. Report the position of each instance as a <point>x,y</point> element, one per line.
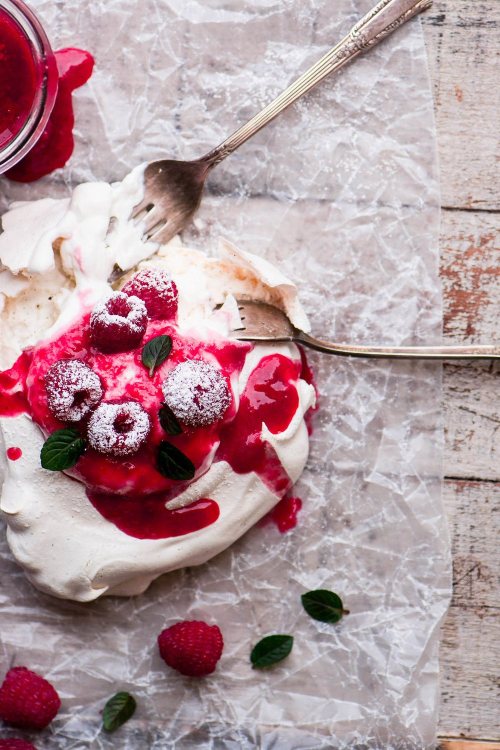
<point>118,323</point>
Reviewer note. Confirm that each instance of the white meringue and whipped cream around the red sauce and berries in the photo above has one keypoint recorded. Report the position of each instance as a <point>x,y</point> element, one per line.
<point>57,256</point>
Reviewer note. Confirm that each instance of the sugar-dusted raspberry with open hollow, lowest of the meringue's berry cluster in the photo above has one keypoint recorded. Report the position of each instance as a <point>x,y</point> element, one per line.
<point>118,429</point>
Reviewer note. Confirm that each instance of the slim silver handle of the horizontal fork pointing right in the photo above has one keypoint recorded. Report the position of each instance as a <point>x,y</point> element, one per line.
<point>472,351</point>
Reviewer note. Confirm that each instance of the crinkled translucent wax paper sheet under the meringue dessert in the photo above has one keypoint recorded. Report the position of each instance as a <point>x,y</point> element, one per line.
<point>342,193</point>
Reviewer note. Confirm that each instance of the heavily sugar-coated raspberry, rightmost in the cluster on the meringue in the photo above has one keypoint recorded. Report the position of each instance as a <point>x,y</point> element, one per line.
<point>196,392</point>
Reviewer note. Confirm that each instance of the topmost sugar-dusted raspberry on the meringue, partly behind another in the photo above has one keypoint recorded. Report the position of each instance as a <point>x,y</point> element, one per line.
<point>157,291</point>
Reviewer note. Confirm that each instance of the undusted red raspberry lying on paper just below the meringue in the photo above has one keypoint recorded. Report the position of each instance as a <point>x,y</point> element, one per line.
<point>191,647</point>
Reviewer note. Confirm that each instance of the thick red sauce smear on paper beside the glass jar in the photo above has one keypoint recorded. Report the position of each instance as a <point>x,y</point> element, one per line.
<point>56,143</point>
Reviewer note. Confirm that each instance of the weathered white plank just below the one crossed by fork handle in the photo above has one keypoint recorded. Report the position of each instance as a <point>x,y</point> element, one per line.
<point>470,642</point>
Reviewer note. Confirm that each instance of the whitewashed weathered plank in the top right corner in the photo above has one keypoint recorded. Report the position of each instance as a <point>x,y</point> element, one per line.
<point>463,39</point>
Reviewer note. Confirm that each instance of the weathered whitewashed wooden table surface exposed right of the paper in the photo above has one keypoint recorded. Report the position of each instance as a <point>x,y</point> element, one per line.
<point>463,46</point>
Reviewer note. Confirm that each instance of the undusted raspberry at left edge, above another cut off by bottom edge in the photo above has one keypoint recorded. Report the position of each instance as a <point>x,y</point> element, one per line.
<point>27,700</point>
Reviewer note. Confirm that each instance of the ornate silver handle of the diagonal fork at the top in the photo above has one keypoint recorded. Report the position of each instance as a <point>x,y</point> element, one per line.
<point>384,18</point>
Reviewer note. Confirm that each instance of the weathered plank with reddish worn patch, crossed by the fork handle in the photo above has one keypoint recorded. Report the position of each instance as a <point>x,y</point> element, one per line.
<point>470,272</point>
